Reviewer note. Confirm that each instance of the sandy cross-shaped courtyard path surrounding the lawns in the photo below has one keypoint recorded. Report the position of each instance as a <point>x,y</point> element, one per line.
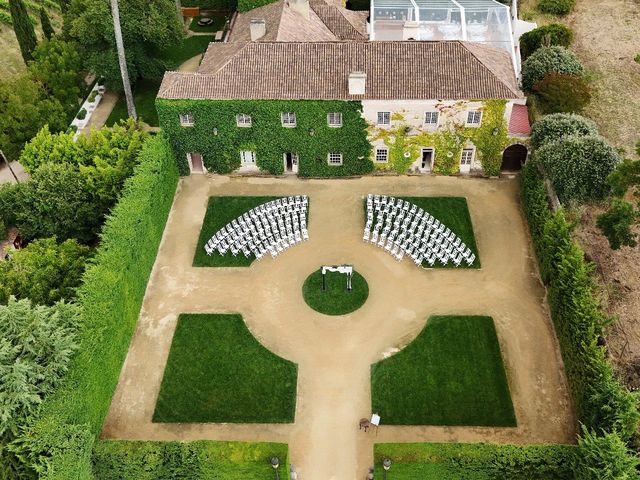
<point>334,354</point>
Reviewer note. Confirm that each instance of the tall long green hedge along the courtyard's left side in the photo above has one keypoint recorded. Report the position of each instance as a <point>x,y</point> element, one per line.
<point>59,442</point>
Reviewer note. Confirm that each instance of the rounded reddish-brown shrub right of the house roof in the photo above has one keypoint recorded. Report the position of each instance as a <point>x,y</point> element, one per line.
<point>559,93</point>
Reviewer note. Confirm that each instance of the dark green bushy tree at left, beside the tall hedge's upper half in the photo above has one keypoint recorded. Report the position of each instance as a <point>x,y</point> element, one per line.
<point>56,202</point>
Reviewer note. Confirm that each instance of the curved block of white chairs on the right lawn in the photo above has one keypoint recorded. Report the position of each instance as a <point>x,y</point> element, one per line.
<point>404,229</point>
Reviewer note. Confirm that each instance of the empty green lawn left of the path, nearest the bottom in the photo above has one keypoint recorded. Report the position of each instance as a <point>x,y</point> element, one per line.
<point>218,372</point>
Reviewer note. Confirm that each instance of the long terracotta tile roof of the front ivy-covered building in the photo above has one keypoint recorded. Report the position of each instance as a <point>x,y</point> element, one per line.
<point>449,70</point>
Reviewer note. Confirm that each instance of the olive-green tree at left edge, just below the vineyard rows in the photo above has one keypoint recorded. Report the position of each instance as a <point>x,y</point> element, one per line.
<point>26,108</point>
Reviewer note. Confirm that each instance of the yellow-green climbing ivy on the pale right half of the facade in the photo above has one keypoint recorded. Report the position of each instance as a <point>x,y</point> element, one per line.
<point>490,139</point>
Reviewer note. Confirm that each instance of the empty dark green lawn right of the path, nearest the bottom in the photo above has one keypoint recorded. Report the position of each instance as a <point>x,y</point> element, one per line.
<point>451,374</point>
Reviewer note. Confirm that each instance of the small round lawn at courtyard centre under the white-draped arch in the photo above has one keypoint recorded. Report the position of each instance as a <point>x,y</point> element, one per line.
<point>335,300</point>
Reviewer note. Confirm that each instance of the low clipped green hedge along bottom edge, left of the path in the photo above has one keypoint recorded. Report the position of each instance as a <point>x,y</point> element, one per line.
<point>116,460</point>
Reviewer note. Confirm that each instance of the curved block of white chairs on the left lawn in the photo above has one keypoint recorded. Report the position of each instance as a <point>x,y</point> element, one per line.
<point>271,227</point>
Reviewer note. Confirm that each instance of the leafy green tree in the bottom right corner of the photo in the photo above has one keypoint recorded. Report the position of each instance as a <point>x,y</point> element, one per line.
<point>604,457</point>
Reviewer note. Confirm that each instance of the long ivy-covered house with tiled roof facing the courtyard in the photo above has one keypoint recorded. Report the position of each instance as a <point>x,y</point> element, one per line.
<point>329,109</point>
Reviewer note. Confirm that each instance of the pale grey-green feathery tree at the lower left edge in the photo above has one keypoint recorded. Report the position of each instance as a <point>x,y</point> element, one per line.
<point>36,345</point>
